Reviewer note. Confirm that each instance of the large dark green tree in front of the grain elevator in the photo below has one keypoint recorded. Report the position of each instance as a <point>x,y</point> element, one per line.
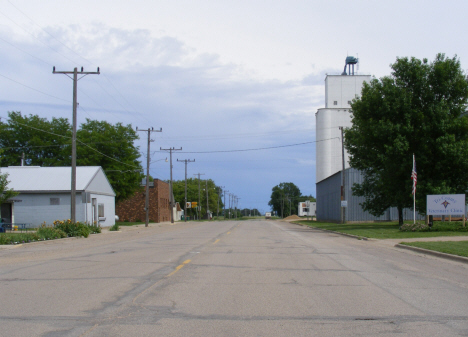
<point>418,109</point>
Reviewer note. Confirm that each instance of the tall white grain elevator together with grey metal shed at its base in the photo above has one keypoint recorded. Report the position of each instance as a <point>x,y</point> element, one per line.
<point>340,90</point>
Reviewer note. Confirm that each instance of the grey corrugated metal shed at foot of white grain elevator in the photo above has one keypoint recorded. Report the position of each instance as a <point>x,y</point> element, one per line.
<point>329,201</point>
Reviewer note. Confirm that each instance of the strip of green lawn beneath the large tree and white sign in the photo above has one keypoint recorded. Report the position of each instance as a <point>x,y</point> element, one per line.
<point>386,230</point>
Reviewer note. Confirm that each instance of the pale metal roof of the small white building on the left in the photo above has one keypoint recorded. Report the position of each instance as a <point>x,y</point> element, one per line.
<point>36,178</point>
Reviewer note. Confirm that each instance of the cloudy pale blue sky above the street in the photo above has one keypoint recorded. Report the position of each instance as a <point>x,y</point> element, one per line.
<point>236,84</point>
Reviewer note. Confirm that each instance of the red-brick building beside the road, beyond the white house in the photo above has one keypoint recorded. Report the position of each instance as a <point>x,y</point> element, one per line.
<point>133,209</point>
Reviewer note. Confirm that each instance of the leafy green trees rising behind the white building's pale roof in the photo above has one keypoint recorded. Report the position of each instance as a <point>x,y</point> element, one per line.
<point>48,143</point>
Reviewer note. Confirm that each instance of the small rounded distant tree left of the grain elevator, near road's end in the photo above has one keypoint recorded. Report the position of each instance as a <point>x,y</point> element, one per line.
<point>284,199</point>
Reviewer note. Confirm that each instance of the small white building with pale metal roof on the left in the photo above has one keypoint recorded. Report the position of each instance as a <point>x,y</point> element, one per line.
<point>44,195</point>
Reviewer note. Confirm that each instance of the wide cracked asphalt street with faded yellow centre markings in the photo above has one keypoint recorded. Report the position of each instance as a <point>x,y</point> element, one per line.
<point>231,278</point>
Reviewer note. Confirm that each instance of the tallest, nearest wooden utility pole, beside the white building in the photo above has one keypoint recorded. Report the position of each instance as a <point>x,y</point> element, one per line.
<point>73,173</point>
